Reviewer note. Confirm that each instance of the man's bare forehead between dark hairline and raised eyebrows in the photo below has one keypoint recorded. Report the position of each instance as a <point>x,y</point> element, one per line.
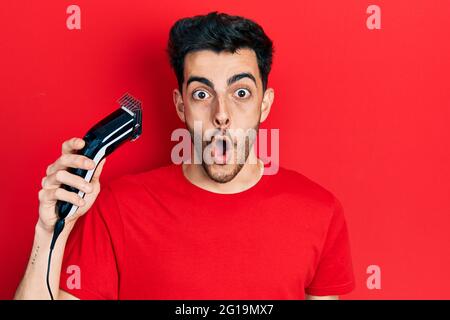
<point>221,65</point>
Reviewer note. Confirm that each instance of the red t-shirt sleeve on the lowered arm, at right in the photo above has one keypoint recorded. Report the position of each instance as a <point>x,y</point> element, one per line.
<point>334,273</point>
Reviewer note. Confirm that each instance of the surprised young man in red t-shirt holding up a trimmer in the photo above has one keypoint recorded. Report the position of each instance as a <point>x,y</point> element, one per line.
<point>218,229</point>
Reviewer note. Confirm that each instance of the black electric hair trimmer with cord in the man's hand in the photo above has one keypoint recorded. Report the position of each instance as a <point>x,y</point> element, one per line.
<point>120,126</point>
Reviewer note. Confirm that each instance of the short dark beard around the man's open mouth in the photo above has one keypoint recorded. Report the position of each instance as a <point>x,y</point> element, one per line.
<point>237,155</point>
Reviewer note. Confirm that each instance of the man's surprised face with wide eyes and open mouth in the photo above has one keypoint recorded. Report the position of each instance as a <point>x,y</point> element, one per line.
<point>222,91</point>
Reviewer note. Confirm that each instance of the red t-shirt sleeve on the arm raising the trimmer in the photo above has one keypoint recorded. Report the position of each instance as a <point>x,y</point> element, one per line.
<point>89,268</point>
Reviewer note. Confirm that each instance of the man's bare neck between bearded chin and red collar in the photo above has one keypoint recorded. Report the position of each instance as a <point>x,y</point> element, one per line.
<point>249,176</point>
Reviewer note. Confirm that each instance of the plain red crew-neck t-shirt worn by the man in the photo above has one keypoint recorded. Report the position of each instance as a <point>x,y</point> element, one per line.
<point>154,235</point>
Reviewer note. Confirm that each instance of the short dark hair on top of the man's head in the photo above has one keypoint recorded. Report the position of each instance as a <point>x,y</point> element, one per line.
<point>218,32</point>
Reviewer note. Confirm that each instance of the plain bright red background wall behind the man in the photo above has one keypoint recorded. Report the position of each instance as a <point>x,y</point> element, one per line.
<point>363,112</point>
